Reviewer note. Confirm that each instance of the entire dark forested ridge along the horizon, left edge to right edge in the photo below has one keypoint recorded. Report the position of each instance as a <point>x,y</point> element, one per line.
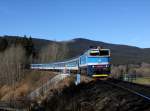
<point>121,54</point>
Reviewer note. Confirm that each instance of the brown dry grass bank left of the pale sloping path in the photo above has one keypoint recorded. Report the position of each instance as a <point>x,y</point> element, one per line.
<point>31,81</point>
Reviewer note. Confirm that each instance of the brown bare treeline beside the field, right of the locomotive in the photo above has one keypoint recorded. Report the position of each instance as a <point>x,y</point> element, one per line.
<point>131,70</point>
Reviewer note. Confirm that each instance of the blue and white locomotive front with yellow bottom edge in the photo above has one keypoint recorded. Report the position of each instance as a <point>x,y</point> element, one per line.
<point>100,62</point>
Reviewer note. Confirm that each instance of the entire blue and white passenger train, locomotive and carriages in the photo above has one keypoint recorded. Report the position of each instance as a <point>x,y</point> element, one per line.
<point>95,62</point>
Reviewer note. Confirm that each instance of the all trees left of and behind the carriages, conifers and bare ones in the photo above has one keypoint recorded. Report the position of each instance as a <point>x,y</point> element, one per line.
<point>17,54</point>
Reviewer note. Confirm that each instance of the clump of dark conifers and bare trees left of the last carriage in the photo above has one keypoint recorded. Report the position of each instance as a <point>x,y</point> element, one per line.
<point>15,56</point>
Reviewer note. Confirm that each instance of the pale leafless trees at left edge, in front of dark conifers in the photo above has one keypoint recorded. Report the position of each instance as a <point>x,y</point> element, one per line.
<point>10,65</point>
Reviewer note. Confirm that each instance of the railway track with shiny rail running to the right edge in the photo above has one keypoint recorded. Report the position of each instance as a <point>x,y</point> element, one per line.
<point>139,90</point>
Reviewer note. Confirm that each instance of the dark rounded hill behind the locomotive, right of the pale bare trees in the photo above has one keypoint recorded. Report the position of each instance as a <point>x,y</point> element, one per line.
<point>121,54</point>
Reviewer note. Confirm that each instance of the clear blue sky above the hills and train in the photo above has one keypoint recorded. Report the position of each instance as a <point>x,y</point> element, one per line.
<point>112,21</point>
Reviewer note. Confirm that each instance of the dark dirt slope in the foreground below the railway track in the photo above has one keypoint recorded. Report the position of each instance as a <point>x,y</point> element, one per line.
<point>95,96</point>
